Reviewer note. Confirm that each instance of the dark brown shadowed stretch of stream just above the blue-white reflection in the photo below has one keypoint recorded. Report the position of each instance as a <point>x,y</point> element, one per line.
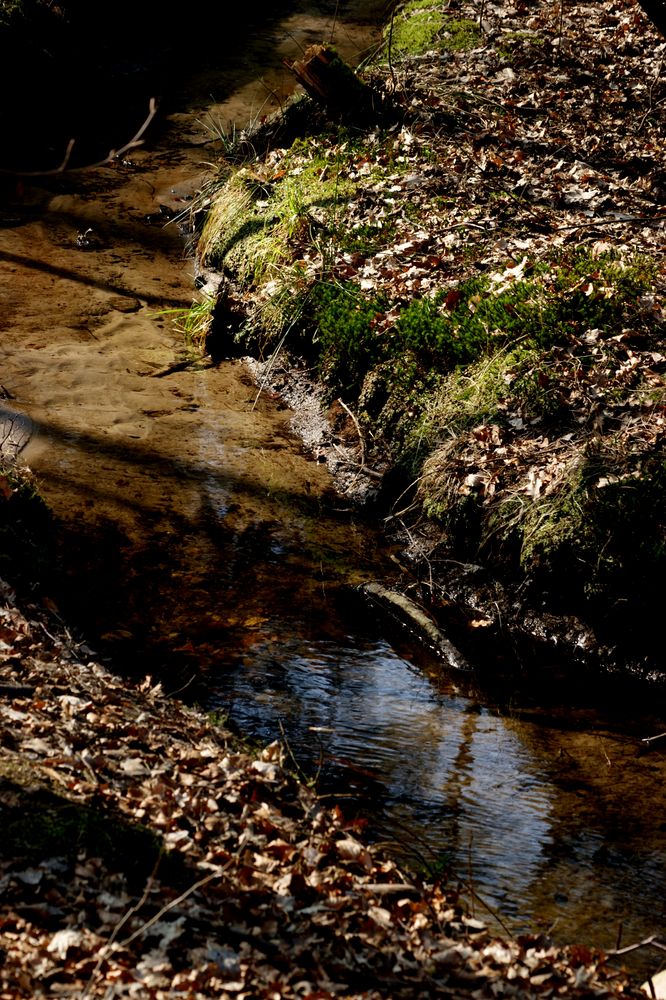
<point>164,583</point>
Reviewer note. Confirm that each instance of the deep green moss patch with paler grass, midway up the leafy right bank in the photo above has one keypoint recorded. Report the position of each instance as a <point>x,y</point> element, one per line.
<point>474,339</point>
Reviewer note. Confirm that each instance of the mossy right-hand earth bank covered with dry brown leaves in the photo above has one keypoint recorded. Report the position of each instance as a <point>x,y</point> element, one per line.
<point>477,280</point>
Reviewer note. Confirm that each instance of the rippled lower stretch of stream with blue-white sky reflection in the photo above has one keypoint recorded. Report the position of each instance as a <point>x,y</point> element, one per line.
<point>535,818</point>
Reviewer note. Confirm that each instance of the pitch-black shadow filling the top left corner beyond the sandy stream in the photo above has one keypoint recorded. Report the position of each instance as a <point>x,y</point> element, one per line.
<point>89,76</point>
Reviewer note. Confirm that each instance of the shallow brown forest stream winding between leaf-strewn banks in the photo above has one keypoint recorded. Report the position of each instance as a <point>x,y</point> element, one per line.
<point>200,539</point>
